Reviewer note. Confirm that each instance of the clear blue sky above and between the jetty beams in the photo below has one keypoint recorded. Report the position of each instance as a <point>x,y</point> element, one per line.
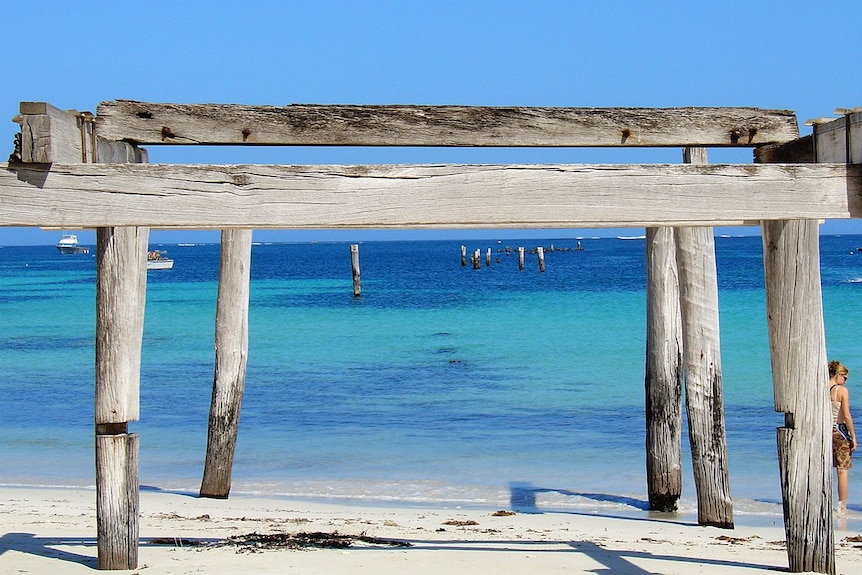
<point>801,56</point>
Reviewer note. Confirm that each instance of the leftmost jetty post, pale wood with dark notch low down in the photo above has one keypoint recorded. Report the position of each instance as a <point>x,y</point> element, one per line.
<point>121,281</point>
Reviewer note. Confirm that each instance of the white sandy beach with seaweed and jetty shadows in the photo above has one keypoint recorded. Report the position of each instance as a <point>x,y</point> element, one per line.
<point>53,531</point>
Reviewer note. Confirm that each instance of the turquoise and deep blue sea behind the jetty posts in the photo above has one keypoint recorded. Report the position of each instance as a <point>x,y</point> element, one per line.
<point>440,384</point>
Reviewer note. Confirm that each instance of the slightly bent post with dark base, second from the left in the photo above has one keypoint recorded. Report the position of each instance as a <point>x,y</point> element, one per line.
<point>231,356</point>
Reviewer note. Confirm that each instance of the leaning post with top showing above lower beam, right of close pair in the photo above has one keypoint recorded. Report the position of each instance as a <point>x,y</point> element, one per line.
<point>698,286</point>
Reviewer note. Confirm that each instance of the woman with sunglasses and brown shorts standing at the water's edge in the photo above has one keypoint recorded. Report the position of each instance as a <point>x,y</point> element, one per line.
<point>843,436</point>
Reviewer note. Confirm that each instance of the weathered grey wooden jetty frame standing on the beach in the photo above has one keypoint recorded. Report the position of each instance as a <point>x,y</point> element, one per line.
<point>88,171</point>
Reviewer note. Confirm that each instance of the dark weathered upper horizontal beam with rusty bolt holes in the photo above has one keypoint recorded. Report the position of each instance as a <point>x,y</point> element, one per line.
<point>347,125</point>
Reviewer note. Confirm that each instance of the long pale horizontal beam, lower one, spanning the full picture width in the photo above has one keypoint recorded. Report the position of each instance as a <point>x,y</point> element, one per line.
<point>435,196</point>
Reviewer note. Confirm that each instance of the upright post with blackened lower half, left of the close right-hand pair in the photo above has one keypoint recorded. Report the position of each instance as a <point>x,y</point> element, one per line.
<point>663,381</point>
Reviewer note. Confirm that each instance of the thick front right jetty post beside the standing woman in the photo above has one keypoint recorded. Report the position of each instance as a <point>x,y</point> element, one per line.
<point>797,342</point>
